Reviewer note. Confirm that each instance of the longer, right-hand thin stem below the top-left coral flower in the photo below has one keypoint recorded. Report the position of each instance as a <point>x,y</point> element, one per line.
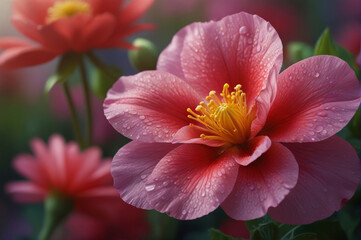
<point>87,100</point>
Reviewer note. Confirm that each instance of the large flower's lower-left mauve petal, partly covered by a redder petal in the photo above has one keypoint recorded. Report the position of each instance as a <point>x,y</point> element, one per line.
<point>131,166</point>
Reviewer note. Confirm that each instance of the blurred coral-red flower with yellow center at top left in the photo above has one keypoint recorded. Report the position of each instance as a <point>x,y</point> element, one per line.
<point>69,25</point>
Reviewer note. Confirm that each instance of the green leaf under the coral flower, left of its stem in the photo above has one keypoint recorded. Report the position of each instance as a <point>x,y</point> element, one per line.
<point>66,67</point>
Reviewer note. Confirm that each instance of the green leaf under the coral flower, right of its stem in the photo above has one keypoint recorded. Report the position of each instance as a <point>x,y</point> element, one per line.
<point>100,82</point>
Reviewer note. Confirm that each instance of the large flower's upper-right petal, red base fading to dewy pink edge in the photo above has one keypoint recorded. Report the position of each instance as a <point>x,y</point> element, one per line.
<point>315,99</point>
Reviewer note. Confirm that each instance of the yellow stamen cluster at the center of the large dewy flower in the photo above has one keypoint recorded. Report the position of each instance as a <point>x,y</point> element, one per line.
<point>224,118</point>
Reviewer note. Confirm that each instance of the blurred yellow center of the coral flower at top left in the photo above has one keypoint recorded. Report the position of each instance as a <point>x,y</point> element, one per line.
<point>66,9</point>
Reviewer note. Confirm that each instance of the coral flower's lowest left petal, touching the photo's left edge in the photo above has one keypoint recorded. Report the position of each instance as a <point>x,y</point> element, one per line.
<point>19,57</point>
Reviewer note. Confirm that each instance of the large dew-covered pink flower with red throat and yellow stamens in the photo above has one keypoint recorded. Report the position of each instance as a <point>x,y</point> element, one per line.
<point>217,125</point>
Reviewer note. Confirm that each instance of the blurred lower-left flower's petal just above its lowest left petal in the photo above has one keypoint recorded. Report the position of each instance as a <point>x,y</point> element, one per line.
<point>30,168</point>
